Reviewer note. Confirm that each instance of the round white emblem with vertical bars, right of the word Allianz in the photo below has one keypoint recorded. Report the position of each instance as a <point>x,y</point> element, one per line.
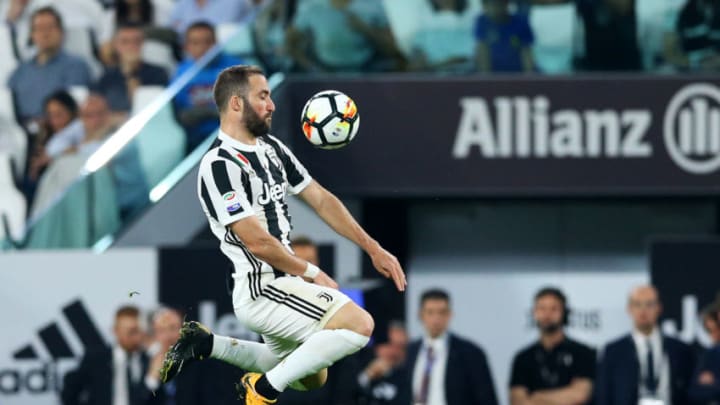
<point>692,128</point>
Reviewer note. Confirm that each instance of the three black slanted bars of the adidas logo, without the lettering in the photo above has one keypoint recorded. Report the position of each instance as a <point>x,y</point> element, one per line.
<point>56,344</point>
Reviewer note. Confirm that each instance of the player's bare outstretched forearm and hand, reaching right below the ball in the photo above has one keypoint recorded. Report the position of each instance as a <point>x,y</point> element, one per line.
<point>334,213</point>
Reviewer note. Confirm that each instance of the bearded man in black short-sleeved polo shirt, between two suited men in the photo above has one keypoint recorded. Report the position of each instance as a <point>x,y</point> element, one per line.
<point>555,369</point>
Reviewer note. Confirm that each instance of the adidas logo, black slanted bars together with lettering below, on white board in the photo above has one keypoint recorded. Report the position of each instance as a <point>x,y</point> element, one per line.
<point>38,369</point>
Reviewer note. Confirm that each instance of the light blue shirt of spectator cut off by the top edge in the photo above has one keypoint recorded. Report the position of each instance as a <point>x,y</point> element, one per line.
<point>214,12</point>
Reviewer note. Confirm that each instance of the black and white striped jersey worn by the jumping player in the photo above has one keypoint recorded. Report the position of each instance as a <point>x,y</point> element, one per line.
<point>237,180</point>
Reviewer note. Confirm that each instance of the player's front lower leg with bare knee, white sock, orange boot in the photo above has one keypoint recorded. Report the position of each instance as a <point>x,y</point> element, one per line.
<point>347,332</point>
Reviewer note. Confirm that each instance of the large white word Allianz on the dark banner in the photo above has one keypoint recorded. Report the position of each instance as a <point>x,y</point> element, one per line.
<point>524,127</point>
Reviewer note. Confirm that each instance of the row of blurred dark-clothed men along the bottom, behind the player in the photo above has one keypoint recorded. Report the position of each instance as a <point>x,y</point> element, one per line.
<point>642,367</point>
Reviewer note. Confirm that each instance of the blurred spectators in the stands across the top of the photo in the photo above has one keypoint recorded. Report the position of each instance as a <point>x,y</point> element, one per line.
<point>57,53</point>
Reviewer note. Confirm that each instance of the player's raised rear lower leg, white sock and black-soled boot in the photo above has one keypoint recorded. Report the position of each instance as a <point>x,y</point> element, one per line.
<point>197,342</point>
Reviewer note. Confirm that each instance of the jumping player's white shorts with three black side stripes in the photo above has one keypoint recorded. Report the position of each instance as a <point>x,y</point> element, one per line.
<point>287,311</point>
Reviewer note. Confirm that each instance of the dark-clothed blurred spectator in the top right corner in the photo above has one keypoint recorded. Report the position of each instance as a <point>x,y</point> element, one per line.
<point>690,41</point>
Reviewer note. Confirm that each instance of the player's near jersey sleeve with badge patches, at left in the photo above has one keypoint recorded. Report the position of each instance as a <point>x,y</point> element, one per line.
<point>223,189</point>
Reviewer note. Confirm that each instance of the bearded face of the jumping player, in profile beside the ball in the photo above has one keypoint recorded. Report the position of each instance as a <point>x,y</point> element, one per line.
<point>258,106</point>
